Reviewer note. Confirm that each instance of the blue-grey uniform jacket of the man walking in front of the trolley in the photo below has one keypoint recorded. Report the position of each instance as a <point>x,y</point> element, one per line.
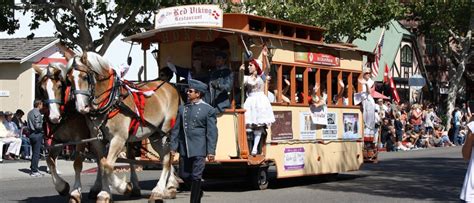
<point>195,132</point>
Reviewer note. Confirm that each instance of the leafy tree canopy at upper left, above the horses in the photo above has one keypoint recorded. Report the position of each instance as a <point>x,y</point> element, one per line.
<point>75,20</point>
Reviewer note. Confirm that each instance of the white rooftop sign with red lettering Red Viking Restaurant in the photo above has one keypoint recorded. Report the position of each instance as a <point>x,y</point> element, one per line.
<point>189,15</point>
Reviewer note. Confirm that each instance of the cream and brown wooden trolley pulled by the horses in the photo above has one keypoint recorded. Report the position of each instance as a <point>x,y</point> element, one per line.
<point>298,68</point>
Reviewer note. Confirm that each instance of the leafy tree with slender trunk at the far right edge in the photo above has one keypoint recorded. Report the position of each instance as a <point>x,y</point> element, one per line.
<point>448,24</point>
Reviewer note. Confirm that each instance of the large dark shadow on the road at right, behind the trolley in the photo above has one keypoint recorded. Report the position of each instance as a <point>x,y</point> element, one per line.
<point>428,179</point>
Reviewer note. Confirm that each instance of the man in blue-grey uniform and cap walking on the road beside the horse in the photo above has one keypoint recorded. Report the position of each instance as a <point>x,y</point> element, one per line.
<point>194,136</point>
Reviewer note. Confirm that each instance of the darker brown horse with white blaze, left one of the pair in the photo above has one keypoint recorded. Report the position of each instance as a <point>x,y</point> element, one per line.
<point>69,126</point>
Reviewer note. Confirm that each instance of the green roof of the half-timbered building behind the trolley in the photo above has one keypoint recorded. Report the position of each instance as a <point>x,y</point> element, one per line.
<point>391,44</point>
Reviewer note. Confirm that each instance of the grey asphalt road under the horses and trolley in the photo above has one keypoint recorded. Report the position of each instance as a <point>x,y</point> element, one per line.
<point>429,175</point>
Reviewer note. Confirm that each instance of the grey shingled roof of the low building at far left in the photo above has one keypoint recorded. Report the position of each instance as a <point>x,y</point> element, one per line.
<point>17,49</point>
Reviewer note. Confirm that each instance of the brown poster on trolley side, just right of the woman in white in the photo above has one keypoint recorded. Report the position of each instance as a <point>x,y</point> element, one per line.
<point>281,129</point>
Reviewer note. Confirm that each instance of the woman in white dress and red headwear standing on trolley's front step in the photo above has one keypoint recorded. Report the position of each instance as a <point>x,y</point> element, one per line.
<point>259,112</point>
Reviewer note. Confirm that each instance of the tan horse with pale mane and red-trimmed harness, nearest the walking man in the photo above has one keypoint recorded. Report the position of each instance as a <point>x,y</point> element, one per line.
<point>116,109</point>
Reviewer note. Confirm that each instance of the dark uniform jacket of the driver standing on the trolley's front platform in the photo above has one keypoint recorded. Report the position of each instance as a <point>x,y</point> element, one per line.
<point>221,82</point>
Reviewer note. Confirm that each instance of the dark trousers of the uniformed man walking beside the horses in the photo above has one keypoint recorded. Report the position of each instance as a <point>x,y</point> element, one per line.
<point>191,169</point>
